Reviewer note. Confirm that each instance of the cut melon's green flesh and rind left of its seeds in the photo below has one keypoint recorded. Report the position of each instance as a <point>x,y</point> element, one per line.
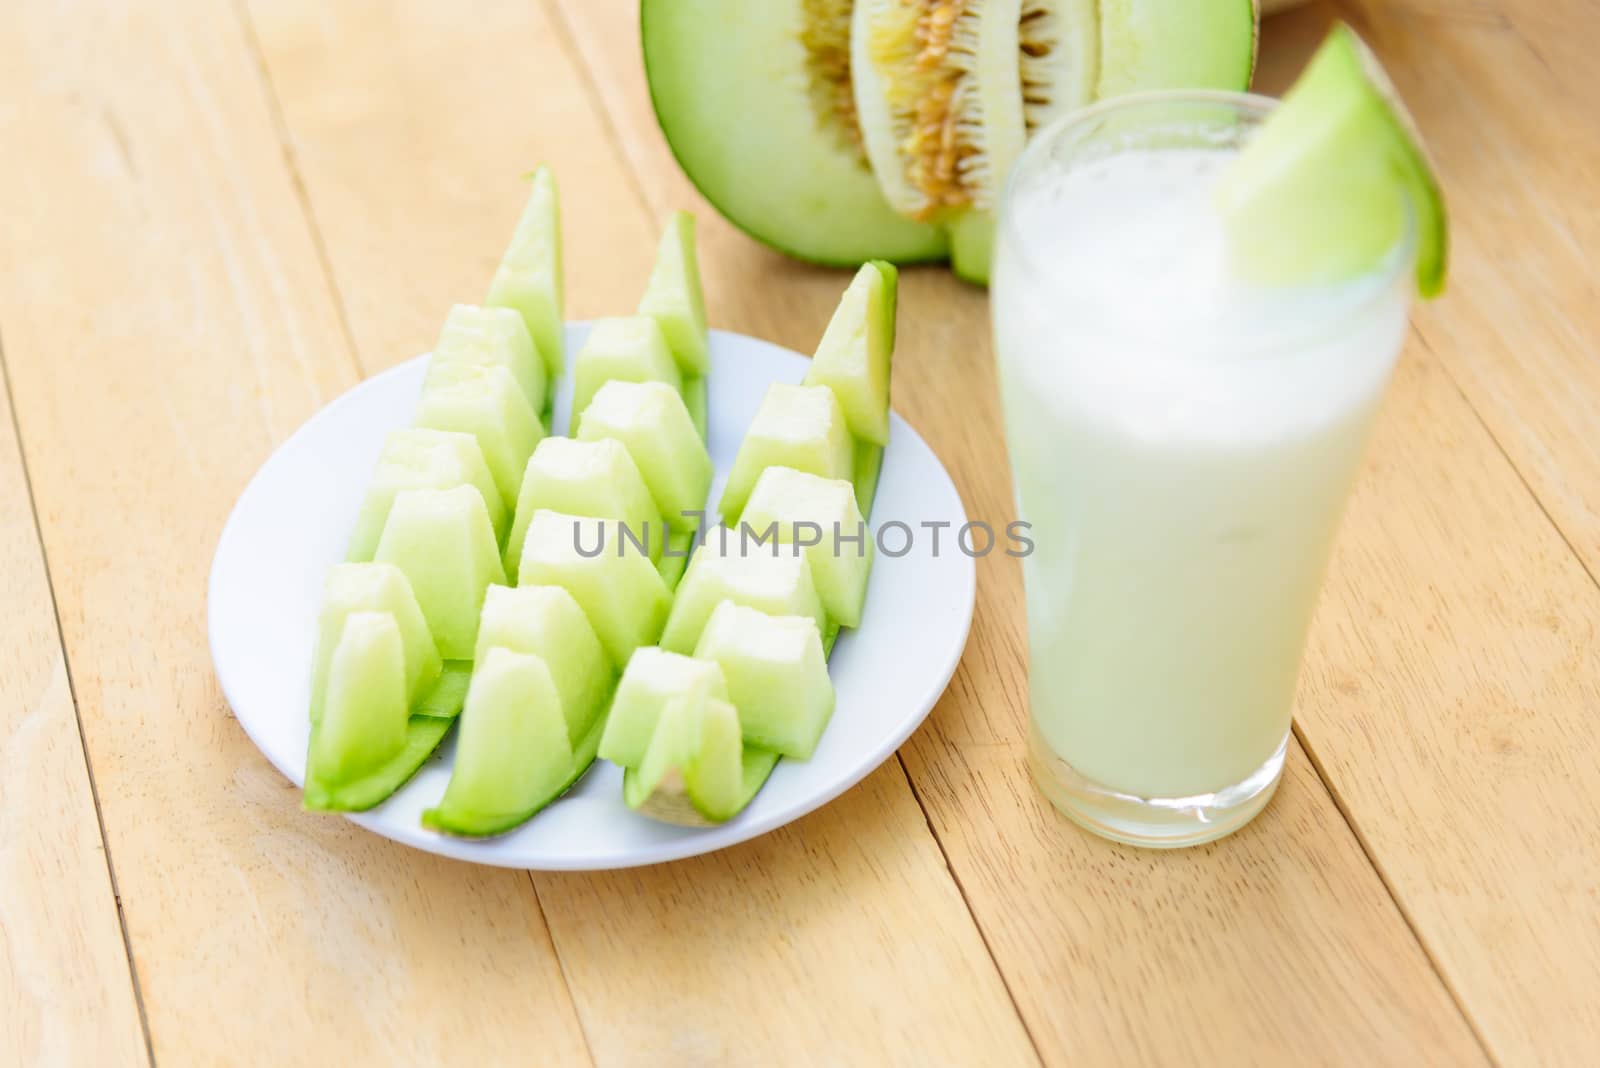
<point>756,103</point>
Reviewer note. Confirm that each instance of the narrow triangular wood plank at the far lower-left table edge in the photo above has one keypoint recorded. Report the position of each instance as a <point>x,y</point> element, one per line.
<point>66,994</point>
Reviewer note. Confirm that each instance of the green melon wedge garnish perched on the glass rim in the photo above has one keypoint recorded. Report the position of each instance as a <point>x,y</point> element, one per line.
<point>1321,193</point>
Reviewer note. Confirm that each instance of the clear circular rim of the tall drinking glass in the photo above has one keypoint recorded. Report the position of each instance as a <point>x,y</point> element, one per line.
<point>1257,106</point>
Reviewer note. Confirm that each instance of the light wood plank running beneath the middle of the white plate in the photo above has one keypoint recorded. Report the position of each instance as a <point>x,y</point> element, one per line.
<point>839,938</point>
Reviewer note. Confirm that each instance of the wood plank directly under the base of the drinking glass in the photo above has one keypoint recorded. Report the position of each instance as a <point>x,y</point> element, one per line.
<point>1279,944</point>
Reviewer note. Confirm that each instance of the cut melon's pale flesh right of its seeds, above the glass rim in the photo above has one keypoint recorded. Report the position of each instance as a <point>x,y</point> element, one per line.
<point>1175,46</point>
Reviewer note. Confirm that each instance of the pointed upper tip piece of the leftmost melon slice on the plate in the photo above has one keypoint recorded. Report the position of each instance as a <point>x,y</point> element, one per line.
<point>530,274</point>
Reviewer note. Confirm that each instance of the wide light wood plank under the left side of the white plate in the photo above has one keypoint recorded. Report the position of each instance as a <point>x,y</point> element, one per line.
<point>167,322</point>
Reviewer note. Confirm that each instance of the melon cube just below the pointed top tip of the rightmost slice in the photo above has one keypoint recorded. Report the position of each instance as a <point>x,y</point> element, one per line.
<point>796,426</point>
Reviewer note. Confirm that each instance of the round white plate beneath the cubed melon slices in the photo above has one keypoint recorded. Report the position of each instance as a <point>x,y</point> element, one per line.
<point>297,516</point>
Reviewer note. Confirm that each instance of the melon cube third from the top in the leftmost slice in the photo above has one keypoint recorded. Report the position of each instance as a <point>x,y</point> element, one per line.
<point>489,405</point>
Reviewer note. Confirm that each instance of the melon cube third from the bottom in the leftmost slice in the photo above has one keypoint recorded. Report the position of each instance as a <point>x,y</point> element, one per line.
<point>446,546</point>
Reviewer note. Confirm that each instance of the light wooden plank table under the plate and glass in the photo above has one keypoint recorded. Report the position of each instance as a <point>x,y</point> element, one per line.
<point>215,218</point>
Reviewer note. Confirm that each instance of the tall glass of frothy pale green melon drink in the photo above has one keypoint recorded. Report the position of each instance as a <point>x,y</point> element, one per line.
<point>1183,447</point>
